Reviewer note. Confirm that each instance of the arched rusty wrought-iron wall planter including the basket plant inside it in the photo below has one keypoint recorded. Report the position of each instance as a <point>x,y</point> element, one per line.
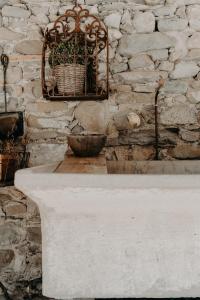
<point>71,56</point>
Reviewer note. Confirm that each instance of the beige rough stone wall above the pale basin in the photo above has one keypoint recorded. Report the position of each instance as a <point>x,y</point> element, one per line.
<point>148,39</point>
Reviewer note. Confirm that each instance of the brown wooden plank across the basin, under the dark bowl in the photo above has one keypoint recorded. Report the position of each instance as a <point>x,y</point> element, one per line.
<point>88,165</point>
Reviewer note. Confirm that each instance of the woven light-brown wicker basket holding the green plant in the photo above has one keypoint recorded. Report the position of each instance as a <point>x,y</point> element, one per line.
<point>70,78</point>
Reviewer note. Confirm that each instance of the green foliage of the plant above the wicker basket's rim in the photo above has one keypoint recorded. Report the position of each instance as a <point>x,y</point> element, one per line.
<point>67,52</point>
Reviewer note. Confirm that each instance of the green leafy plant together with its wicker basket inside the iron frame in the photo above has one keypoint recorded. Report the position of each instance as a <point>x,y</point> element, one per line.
<point>71,62</point>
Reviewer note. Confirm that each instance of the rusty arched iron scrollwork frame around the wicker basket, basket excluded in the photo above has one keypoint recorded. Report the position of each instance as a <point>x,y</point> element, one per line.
<point>90,36</point>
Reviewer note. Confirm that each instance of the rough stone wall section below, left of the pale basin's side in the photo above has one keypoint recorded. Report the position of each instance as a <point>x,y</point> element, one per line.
<point>20,246</point>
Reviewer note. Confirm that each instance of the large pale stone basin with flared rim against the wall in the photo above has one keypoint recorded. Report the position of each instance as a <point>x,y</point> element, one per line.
<point>118,236</point>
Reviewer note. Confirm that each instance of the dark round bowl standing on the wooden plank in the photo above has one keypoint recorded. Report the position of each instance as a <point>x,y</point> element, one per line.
<point>86,145</point>
